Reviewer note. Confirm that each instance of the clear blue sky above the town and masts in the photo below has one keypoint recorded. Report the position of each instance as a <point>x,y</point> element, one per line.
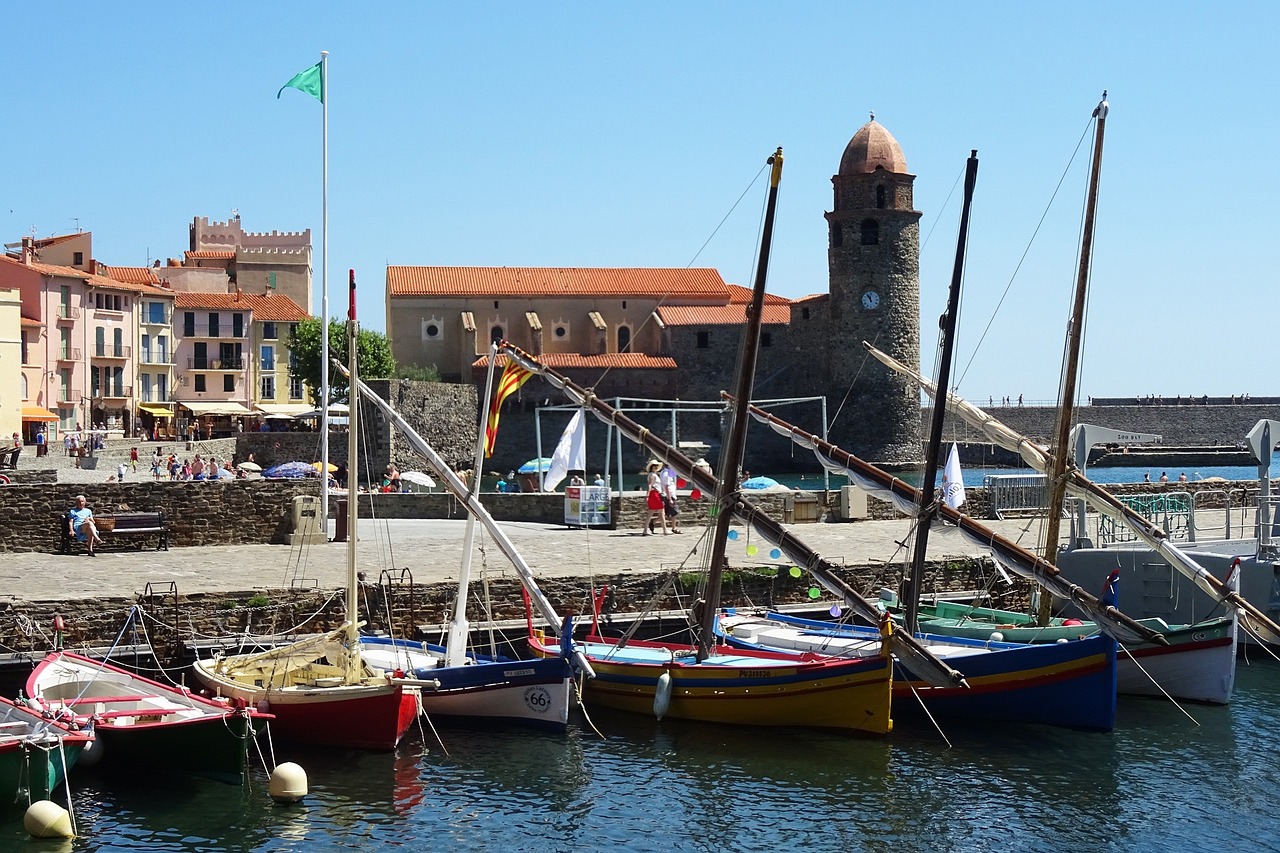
<point>621,135</point>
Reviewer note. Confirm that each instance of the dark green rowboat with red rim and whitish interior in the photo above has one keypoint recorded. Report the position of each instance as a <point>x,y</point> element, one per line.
<point>141,723</point>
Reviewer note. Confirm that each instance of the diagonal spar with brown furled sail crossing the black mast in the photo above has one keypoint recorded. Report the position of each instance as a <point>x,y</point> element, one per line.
<point>1007,553</point>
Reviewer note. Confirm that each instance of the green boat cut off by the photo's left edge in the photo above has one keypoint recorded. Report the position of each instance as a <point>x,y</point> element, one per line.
<point>33,765</point>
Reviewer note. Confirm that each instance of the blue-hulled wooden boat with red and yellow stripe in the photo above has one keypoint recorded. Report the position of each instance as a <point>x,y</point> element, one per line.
<point>1068,685</point>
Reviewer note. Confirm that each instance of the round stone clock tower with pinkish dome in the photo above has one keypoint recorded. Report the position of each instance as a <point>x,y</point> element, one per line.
<point>874,258</point>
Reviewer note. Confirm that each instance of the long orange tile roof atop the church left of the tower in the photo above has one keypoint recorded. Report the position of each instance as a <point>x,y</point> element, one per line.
<point>568,281</point>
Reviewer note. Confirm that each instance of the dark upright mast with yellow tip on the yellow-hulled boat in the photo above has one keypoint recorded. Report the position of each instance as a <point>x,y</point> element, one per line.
<point>732,463</point>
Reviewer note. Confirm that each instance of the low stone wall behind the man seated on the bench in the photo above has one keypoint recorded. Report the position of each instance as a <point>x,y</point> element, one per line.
<point>199,514</point>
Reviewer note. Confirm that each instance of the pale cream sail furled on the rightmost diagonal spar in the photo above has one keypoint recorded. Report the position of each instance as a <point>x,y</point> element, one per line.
<point>1082,487</point>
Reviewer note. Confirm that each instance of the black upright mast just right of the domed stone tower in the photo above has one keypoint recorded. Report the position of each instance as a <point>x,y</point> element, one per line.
<point>929,500</point>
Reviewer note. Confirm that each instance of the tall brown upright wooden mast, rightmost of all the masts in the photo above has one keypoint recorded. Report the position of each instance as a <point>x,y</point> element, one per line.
<point>1072,363</point>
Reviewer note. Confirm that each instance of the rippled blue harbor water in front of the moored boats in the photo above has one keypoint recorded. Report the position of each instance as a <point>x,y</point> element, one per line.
<point>1159,782</point>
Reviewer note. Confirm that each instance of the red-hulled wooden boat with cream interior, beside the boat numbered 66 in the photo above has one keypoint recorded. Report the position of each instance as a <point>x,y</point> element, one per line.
<point>359,717</point>
